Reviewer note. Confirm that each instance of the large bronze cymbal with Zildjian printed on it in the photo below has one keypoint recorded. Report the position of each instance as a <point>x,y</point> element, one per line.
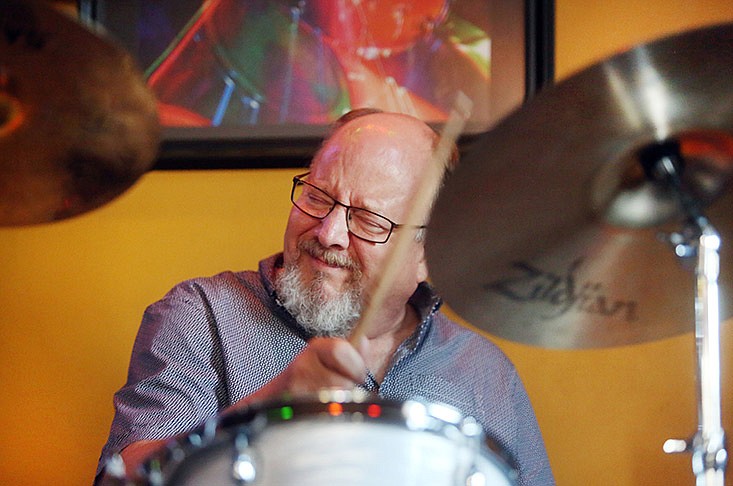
<point>553,233</point>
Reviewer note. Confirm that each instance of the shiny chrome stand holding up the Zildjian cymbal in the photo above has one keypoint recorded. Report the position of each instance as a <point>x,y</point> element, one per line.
<point>700,239</point>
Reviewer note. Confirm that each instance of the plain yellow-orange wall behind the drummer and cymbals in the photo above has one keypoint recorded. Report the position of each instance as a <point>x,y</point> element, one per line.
<point>72,293</point>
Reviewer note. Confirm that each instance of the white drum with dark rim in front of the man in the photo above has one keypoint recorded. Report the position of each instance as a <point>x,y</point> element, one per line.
<point>336,439</point>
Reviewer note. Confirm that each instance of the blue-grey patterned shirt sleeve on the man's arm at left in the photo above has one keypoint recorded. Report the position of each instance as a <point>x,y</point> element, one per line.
<point>175,379</point>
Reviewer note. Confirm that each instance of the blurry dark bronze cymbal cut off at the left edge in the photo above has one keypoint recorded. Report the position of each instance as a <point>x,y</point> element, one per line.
<point>78,125</point>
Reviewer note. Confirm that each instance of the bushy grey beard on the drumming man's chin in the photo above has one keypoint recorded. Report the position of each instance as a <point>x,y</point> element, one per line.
<point>335,316</point>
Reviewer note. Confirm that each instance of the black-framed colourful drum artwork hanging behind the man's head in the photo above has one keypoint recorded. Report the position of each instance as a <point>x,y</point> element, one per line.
<point>256,83</point>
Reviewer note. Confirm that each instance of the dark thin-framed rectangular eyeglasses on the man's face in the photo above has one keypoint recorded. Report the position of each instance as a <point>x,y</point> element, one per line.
<point>362,223</point>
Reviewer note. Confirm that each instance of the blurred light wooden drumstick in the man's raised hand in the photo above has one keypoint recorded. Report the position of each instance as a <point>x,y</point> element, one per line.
<point>429,184</point>
